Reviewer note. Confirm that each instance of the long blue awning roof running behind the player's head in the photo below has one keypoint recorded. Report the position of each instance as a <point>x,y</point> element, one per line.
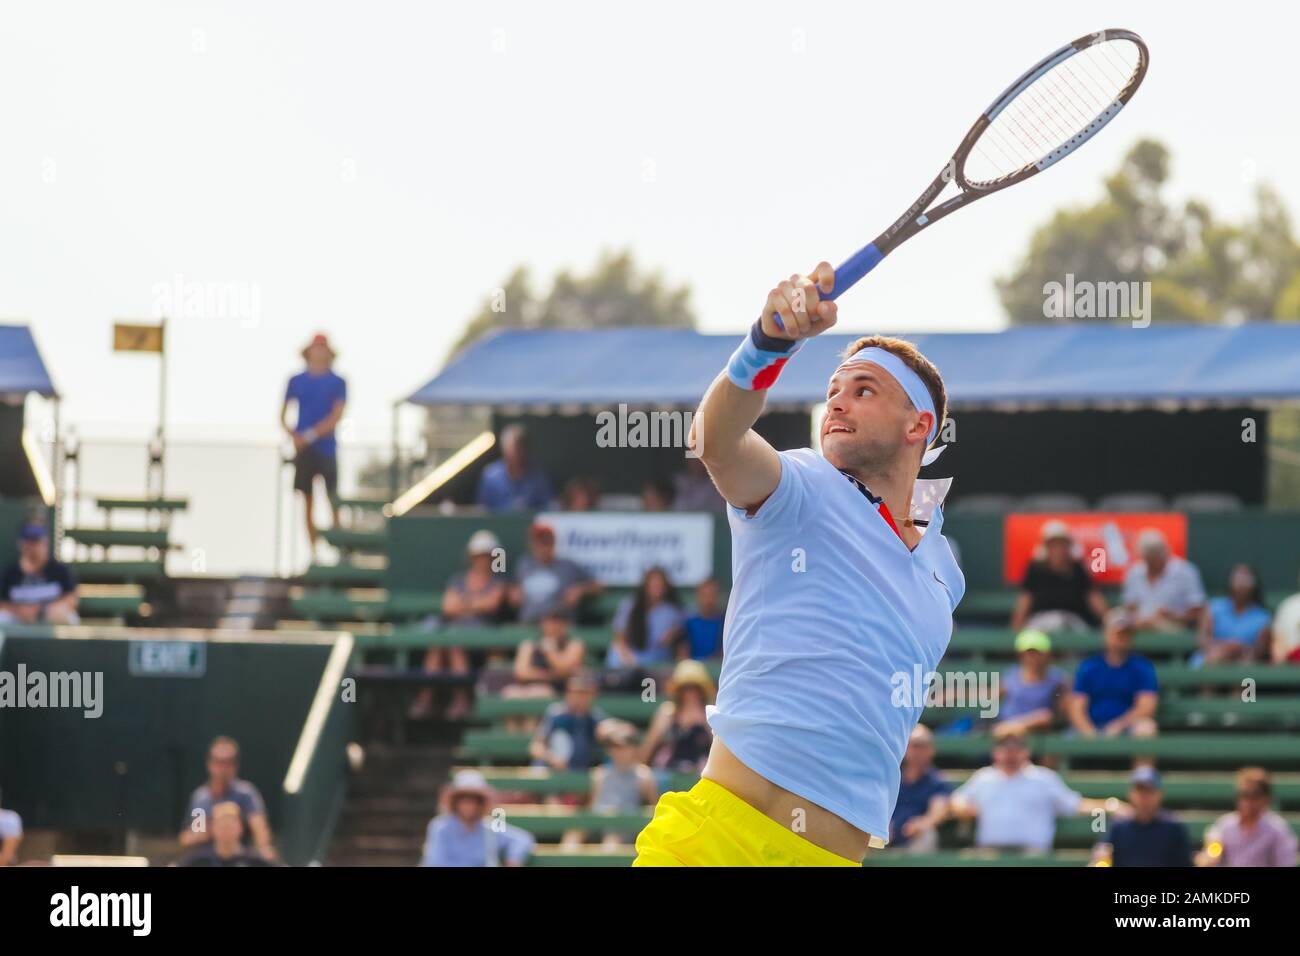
<point>1026,366</point>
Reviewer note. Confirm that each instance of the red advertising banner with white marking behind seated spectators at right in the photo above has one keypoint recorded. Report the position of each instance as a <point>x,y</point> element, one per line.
<point>1106,542</point>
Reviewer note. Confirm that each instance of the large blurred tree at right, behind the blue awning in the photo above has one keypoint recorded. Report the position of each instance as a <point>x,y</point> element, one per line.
<point>1201,270</point>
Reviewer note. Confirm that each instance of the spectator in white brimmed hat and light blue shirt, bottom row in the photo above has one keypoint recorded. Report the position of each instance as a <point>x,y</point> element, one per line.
<point>460,837</point>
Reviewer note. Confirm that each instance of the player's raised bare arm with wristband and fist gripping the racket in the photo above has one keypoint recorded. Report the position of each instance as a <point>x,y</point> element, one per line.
<point>740,462</point>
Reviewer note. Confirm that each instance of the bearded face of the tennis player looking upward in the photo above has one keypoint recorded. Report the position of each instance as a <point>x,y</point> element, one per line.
<point>868,417</point>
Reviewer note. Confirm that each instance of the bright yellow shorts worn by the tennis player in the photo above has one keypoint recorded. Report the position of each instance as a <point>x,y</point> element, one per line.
<point>712,827</point>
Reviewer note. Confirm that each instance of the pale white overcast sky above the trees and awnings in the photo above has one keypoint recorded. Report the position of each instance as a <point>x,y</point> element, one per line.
<point>375,170</point>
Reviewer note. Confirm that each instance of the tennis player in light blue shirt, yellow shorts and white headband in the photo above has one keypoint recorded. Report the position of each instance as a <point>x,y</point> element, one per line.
<point>843,585</point>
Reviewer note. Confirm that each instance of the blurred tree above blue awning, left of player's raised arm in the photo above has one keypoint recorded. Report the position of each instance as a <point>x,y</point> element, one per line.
<point>613,296</point>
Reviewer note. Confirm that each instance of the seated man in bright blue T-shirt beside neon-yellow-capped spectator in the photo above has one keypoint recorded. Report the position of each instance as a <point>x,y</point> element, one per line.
<point>1116,693</point>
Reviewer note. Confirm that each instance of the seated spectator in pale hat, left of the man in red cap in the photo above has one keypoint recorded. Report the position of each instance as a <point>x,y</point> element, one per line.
<point>474,599</point>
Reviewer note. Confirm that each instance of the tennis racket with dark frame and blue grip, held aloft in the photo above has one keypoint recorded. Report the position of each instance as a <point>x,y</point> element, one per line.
<point>1050,113</point>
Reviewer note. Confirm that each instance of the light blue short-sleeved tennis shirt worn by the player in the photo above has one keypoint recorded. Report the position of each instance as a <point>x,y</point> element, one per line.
<point>827,605</point>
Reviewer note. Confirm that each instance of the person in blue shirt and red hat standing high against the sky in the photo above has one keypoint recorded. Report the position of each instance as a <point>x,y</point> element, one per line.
<point>319,396</point>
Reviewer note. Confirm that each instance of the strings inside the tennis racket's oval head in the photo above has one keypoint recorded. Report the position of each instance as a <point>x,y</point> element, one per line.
<point>1052,111</point>
